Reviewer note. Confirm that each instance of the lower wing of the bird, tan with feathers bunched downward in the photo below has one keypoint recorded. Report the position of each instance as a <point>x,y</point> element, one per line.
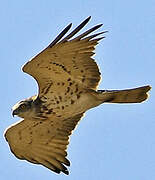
<point>42,142</point>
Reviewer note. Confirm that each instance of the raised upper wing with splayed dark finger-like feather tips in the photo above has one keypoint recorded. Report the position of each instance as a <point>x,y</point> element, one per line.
<point>66,60</point>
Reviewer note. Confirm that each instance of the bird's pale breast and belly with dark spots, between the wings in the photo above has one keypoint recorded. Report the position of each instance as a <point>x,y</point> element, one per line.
<point>64,105</point>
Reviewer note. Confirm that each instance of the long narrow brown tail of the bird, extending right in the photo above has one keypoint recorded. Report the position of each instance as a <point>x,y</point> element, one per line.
<point>136,95</point>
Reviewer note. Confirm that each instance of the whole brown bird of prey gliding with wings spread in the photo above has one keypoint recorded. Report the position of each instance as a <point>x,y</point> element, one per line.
<point>67,77</point>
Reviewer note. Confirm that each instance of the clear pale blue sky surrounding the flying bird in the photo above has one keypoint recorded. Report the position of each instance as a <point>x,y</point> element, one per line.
<point>112,142</point>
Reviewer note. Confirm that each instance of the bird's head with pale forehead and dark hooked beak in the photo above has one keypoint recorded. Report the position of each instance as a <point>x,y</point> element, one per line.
<point>23,108</point>
